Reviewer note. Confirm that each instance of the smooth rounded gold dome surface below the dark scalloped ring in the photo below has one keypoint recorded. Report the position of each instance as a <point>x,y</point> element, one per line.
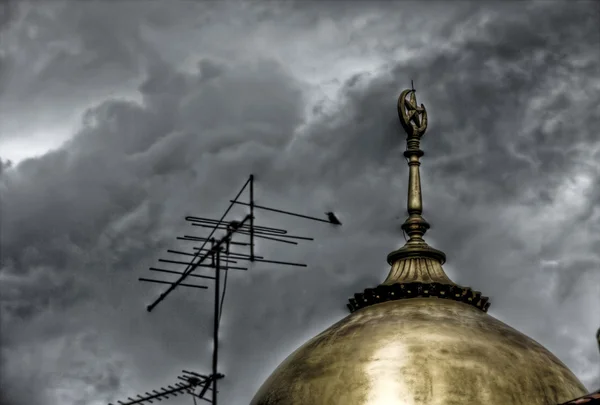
<point>420,351</point>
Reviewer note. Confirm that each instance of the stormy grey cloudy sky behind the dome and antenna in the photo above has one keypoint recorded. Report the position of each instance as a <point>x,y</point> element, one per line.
<point>123,117</point>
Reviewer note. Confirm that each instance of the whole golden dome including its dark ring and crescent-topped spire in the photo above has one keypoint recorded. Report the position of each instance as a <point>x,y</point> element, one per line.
<point>419,338</point>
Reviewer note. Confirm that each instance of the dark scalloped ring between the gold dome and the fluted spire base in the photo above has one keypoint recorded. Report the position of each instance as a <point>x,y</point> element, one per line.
<point>398,291</point>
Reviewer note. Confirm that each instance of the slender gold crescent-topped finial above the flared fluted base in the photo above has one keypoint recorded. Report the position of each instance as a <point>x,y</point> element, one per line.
<point>414,121</point>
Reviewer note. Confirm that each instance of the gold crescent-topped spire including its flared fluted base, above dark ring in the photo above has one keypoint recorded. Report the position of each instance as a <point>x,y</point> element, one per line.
<point>427,262</point>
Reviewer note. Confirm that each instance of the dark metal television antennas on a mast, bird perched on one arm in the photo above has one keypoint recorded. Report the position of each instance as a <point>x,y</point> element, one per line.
<point>219,257</point>
